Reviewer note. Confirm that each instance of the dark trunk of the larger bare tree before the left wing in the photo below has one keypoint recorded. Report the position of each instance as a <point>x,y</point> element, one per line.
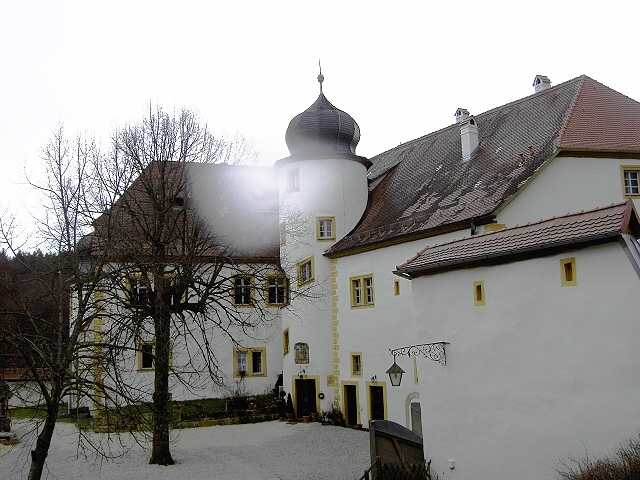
<point>160,454</point>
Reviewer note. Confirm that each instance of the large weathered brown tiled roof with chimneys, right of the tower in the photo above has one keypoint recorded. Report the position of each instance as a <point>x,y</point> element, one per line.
<point>422,188</point>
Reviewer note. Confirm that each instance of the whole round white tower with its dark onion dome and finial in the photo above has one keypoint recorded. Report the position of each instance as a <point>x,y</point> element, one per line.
<point>322,195</point>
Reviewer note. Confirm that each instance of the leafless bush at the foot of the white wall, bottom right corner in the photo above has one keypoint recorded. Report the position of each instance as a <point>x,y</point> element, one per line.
<point>623,465</point>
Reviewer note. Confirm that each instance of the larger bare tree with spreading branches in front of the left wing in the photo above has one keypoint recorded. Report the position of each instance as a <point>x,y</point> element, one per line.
<point>180,280</point>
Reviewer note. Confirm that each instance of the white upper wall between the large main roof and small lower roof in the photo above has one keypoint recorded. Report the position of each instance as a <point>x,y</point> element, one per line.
<point>567,185</point>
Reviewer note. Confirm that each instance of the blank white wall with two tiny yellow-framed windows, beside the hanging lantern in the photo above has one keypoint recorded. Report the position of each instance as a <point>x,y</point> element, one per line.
<point>540,373</point>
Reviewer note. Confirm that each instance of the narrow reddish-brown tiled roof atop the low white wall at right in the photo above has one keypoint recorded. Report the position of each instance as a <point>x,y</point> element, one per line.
<point>558,233</point>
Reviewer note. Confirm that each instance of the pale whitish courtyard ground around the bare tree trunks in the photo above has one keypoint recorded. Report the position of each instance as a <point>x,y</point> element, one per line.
<point>261,451</point>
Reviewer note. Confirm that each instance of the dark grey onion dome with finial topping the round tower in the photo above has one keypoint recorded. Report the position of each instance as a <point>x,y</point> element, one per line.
<point>323,131</point>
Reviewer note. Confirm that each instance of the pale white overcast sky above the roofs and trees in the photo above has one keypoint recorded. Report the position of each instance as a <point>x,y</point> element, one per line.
<point>399,68</point>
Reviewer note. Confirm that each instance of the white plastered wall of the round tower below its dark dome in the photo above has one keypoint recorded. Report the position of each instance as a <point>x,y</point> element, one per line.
<point>329,188</point>
